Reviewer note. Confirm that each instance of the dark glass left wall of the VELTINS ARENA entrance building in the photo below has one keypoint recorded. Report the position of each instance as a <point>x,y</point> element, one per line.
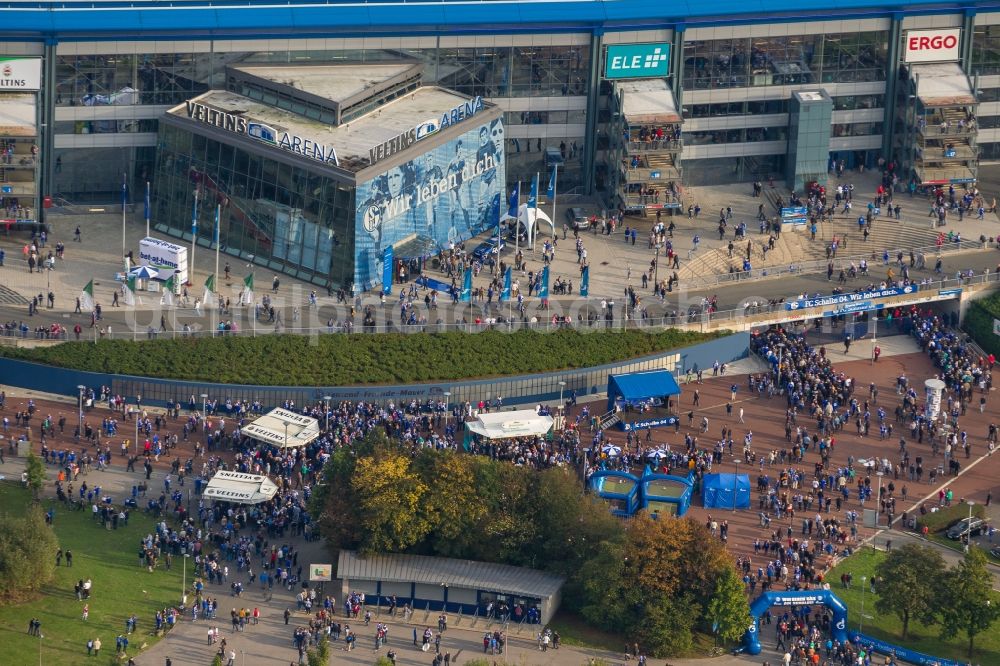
<point>296,220</point>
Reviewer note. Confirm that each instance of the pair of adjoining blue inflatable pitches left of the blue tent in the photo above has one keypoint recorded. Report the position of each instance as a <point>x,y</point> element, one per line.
<point>656,493</point>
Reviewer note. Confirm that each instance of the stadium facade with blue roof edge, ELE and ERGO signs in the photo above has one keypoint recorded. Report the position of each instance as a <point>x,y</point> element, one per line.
<point>90,91</point>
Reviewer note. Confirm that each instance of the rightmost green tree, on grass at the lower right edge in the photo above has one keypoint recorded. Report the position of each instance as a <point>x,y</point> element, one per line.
<point>967,603</point>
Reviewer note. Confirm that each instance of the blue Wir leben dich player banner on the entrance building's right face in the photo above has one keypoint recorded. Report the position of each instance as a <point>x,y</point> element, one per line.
<point>447,195</point>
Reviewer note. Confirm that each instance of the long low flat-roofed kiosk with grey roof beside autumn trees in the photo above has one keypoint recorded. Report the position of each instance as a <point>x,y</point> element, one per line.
<point>450,585</point>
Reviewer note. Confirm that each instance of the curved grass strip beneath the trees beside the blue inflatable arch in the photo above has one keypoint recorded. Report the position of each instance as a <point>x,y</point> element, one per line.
<point>888,627</point>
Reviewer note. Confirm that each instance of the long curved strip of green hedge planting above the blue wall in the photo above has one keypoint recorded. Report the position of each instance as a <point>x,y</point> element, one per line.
<point>347,360</point>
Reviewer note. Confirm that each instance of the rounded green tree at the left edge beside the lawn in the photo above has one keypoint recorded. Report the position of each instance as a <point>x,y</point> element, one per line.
<point>27,554</point>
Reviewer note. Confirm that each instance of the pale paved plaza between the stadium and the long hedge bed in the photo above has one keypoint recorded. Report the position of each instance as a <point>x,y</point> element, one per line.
<point>615,265</point>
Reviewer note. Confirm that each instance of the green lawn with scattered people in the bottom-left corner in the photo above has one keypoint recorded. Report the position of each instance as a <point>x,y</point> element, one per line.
<point>120,588</point>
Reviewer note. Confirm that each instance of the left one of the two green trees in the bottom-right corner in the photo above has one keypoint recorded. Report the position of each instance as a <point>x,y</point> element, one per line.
<point>906,588</point>
